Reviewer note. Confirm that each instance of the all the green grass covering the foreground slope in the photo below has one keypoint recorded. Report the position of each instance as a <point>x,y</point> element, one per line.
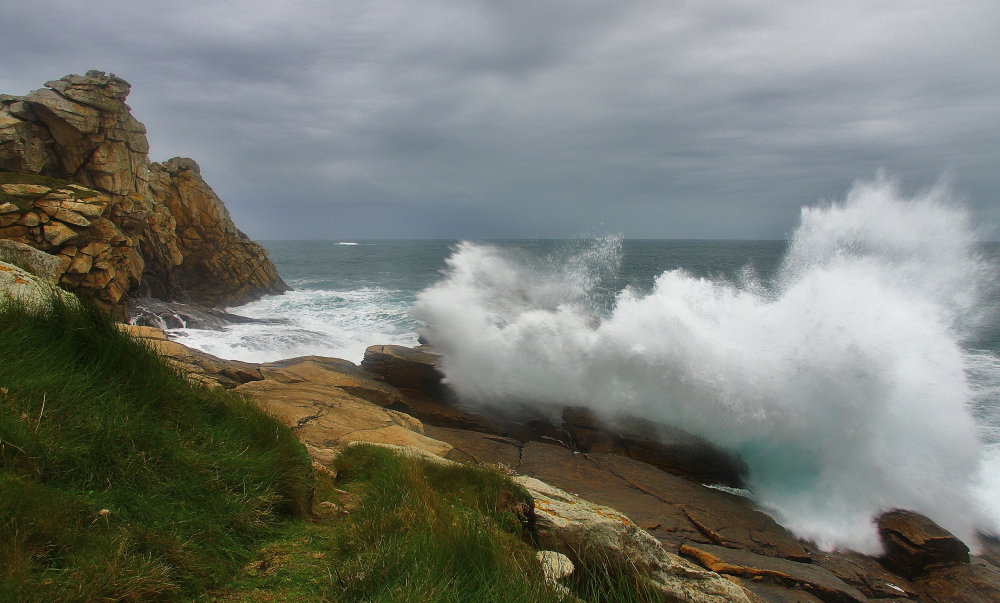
<point>121,481</point>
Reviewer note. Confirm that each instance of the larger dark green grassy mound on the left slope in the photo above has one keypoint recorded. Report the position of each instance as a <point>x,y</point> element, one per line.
<point>119,480</point>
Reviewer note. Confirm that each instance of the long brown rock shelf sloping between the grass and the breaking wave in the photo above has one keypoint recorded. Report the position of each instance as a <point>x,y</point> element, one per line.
<point>332,403</point>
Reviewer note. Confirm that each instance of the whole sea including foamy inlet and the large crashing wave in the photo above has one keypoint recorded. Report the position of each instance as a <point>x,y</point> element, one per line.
<point>855,366</point>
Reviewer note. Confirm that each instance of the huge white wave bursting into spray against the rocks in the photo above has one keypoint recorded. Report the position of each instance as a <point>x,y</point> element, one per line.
<point>846,382</point>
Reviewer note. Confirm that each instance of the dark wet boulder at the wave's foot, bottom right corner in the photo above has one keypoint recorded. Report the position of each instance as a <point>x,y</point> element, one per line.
<point>914,544</point>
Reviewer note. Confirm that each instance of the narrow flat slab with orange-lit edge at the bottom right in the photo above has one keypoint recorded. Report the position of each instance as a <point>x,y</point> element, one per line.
<point>811,578</point>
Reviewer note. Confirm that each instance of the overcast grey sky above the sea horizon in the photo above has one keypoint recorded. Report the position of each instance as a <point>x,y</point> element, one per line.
<point>544,118</point>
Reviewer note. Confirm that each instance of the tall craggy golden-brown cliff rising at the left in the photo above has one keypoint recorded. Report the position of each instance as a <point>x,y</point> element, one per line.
<point>77,182</point>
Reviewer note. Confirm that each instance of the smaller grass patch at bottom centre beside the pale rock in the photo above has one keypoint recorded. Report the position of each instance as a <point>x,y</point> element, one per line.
<point>417,532</point>
